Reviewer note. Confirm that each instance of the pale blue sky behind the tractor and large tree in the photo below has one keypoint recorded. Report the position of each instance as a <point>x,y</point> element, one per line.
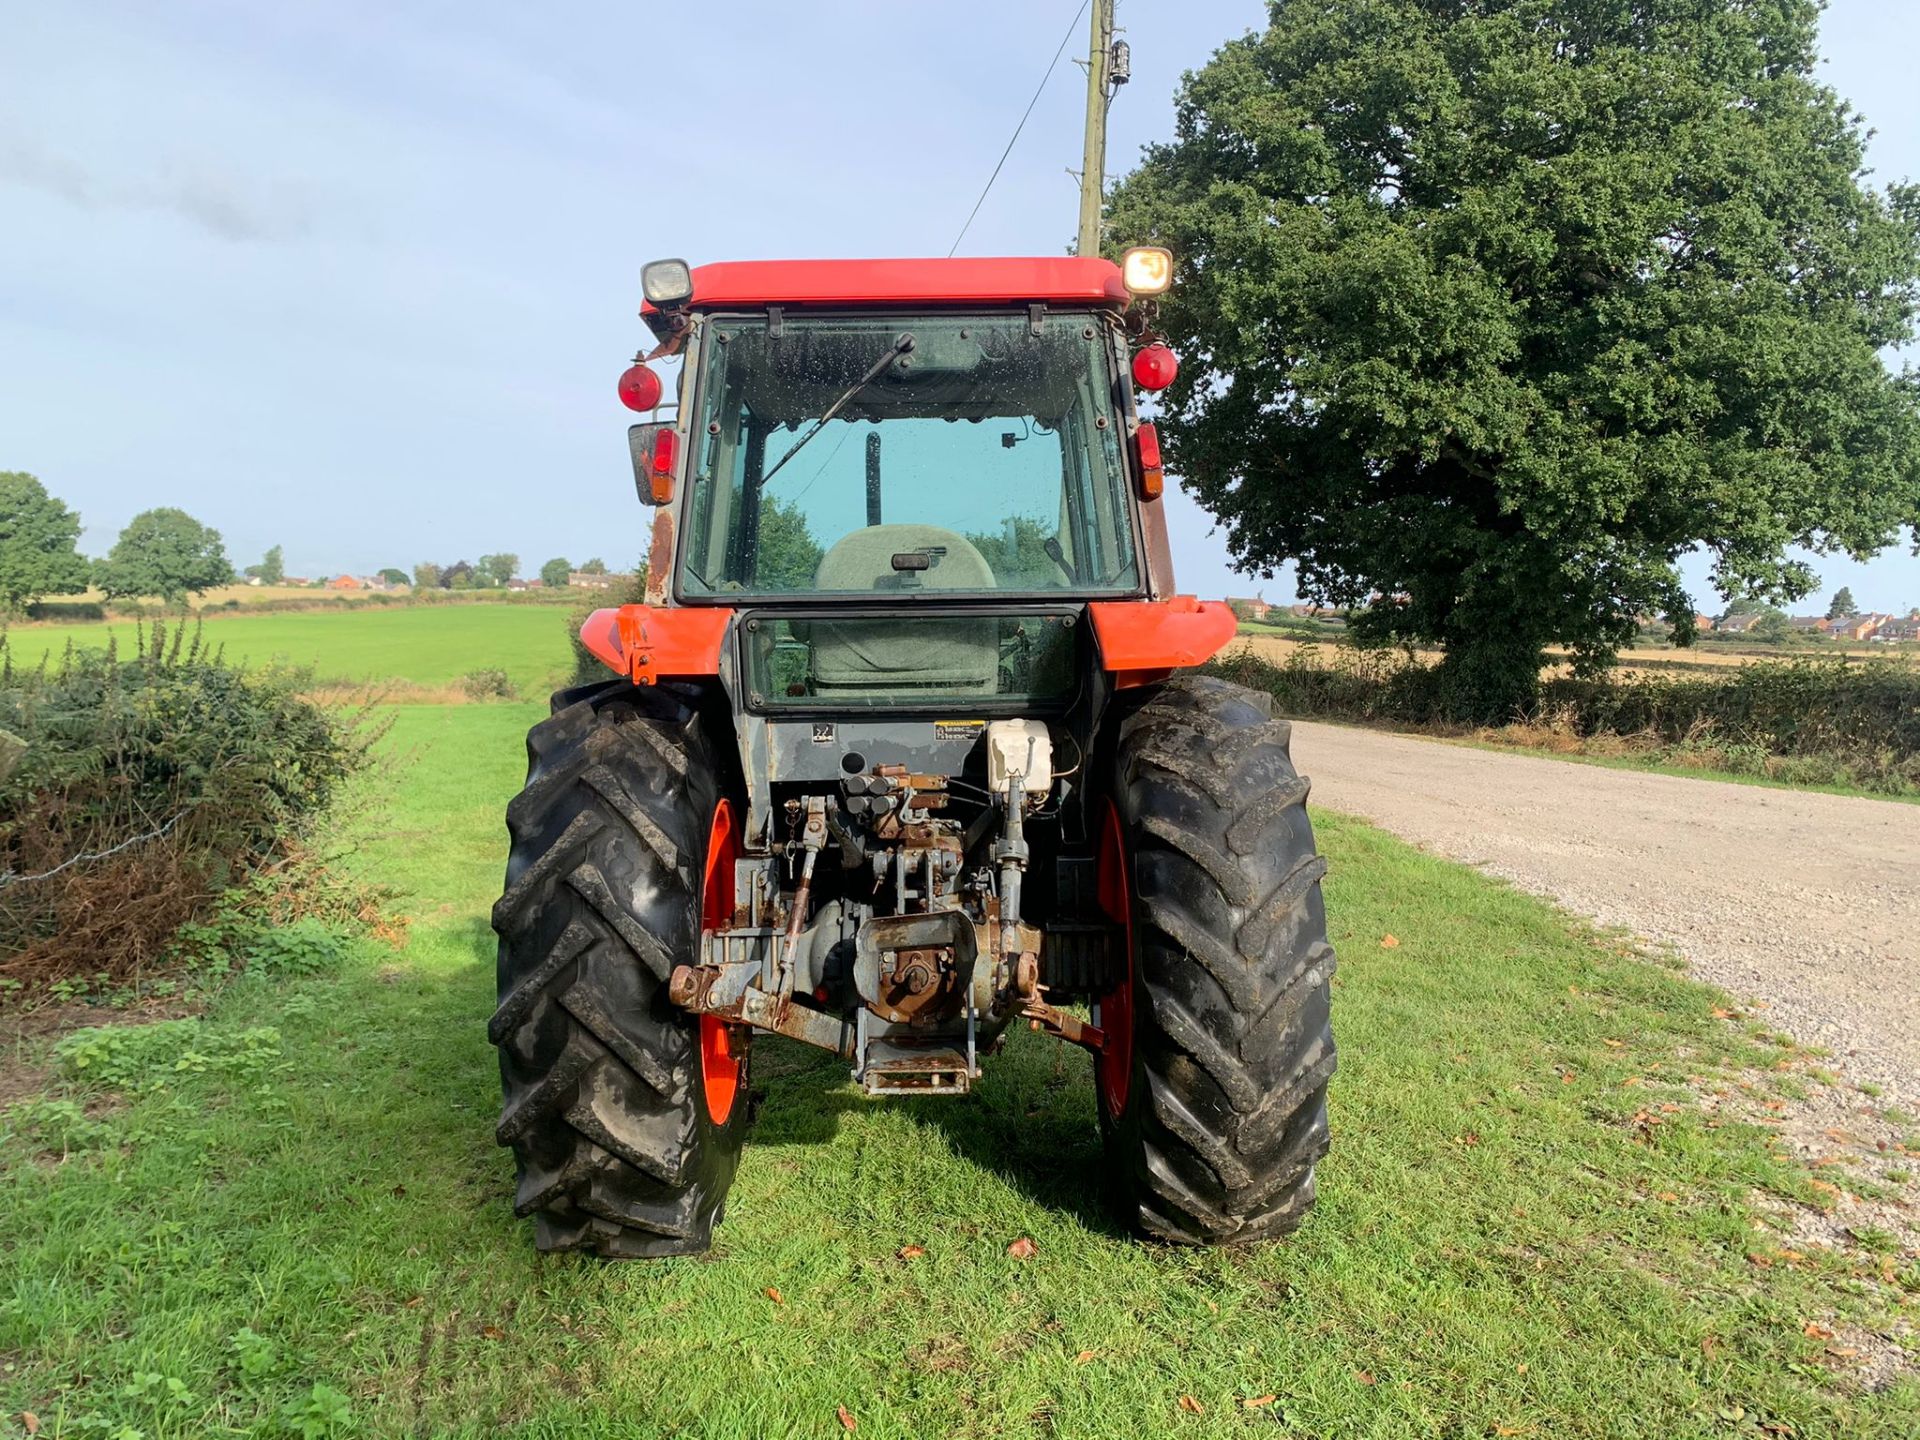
<point>358,279</point>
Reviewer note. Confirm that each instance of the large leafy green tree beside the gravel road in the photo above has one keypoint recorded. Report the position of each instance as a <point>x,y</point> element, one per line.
<point>1499,310</point>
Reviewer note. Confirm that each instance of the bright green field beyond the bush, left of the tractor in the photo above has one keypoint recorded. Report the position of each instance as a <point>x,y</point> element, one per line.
<point>427,646</point>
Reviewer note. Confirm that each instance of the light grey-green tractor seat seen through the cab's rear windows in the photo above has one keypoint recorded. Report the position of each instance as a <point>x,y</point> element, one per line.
<point>882,658</point>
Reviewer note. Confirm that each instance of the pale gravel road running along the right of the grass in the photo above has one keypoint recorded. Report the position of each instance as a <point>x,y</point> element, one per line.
<point>1810,903</point>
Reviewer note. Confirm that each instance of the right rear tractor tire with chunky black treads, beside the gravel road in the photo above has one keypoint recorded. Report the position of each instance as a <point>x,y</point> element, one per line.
<point>1214,1088</point>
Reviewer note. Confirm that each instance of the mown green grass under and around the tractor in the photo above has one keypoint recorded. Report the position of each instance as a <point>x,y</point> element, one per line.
<point>1529,1224</point>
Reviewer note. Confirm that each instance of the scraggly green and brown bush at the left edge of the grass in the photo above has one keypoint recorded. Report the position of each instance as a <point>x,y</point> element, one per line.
<point>143,788</point>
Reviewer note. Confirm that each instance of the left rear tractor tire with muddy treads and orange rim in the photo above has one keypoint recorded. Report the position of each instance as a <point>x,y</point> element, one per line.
<point>625,1118</point>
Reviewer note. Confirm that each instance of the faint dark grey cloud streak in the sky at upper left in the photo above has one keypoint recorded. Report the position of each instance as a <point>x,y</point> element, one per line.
<point>220,204</point>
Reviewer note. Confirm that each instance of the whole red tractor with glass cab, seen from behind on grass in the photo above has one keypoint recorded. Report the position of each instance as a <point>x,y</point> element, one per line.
<point>903,750</point>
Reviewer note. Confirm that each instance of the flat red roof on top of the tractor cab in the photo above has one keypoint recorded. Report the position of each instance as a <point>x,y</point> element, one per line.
<point>1007,281</point>
